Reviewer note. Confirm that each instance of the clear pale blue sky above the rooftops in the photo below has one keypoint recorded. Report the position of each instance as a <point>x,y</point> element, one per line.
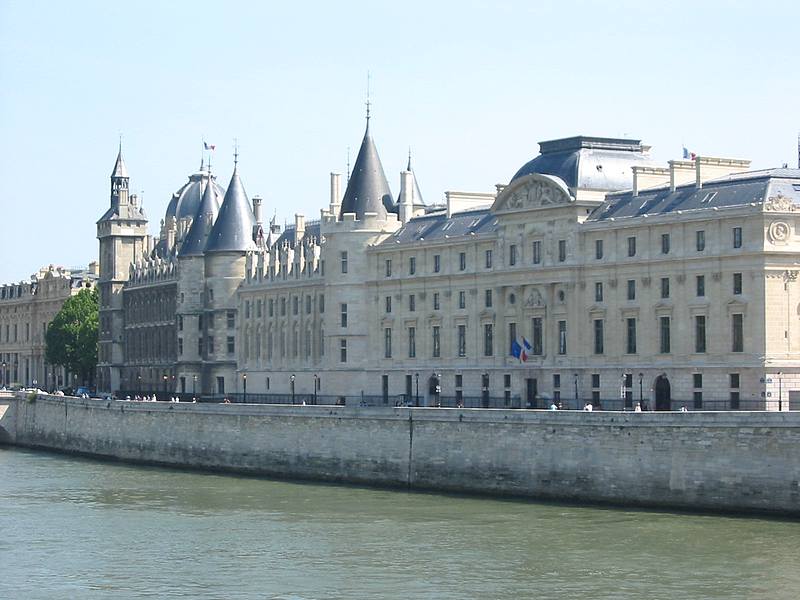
<point>470,86</point>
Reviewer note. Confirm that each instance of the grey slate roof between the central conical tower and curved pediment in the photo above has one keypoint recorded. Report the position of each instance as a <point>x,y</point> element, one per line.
<point>436,226</point>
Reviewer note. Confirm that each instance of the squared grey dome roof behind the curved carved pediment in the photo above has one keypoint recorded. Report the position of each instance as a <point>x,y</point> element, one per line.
<point>593,163</point>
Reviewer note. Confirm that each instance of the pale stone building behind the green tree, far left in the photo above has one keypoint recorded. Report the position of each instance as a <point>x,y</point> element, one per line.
<point>26,309</point>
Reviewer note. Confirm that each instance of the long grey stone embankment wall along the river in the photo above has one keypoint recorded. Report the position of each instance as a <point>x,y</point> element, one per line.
<point>719,461</point>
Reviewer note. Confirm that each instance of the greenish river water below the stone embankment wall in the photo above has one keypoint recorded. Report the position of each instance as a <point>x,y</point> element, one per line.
<point>76,528</point>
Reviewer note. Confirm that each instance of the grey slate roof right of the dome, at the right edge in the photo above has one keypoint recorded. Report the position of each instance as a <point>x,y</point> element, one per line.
<point>735,190</point>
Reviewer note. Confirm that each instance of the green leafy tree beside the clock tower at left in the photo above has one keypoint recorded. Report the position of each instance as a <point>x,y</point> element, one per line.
<point>71,338</point>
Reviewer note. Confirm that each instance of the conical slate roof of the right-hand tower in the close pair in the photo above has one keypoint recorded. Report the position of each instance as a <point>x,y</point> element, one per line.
<point>233,229</point>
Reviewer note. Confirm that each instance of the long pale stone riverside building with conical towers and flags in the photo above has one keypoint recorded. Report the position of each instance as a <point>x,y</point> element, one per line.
<point>592,275</point>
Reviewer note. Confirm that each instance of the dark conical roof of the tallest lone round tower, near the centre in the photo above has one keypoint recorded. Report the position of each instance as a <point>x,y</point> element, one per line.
<point>367,191</point>
